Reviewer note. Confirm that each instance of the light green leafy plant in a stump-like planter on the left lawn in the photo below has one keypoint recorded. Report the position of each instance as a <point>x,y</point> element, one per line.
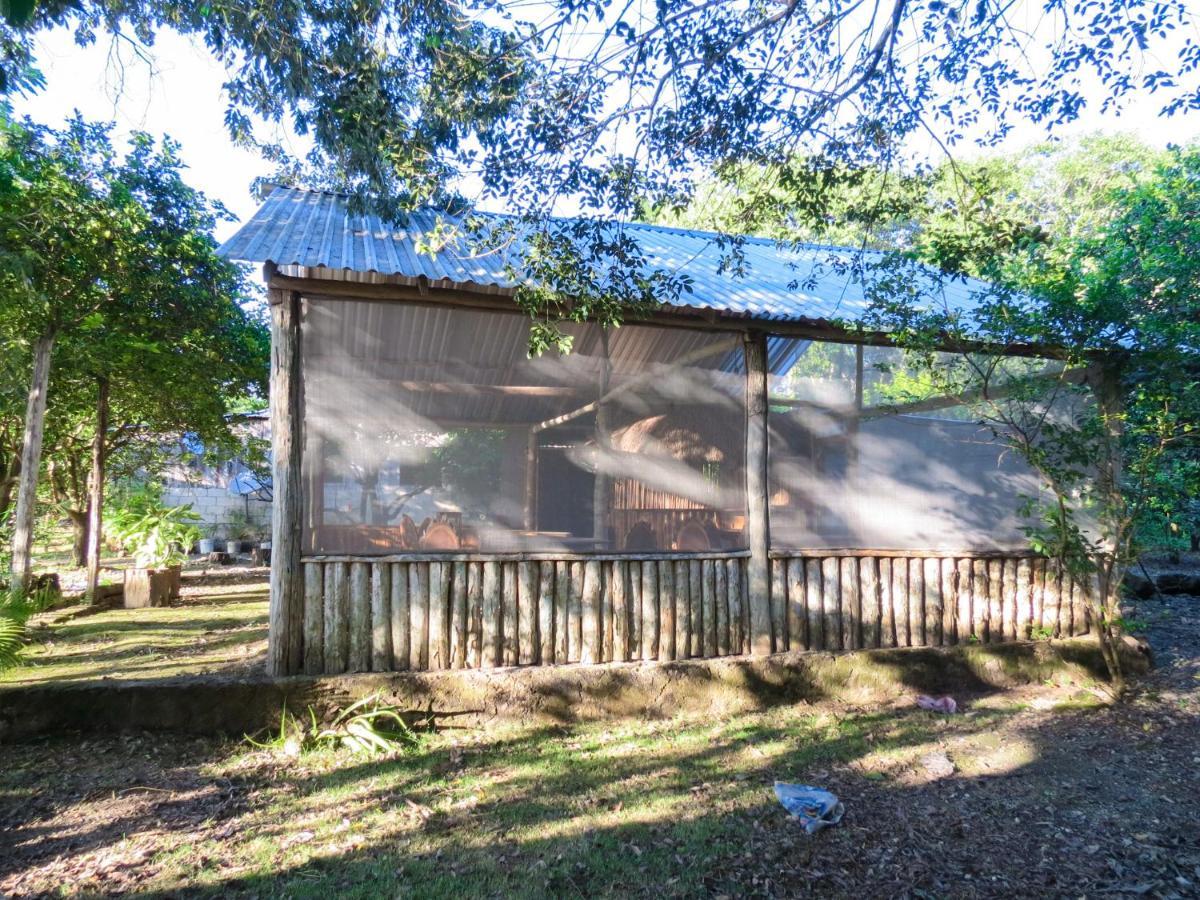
<point>158,536</point>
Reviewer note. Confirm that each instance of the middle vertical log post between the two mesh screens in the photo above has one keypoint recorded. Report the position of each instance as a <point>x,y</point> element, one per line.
<point>759,527</point>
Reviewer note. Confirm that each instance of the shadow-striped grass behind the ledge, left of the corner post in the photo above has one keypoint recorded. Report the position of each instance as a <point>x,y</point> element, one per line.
<point>223,631</point>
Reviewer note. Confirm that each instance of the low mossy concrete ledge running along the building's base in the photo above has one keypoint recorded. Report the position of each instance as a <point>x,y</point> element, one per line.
<point>215,705</point>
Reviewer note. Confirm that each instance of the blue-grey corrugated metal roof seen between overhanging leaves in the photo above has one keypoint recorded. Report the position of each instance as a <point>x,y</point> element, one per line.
<point>314,230</point>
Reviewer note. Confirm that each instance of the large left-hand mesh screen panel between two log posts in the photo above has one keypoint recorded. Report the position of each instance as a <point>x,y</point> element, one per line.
<point>430,429</point>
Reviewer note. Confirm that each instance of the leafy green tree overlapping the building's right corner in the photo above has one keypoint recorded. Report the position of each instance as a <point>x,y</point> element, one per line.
<point>1120,310</point>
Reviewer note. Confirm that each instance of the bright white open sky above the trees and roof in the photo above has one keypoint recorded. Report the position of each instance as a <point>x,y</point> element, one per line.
<point>179,93</point>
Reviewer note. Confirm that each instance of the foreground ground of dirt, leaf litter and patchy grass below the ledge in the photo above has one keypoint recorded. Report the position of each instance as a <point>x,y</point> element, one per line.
<point>1045,793</point>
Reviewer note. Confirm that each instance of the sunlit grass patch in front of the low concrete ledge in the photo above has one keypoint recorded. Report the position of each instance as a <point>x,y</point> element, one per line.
<point>529,812</point>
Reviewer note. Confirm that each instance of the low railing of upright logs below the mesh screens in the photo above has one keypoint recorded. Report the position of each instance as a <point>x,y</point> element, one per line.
<point>423,613</point>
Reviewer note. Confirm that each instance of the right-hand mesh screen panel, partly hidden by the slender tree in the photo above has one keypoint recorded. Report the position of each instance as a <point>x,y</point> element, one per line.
<point>863,455</point>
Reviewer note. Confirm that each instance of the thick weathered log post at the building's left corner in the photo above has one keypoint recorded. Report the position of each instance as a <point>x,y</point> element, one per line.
<point>285,646</point>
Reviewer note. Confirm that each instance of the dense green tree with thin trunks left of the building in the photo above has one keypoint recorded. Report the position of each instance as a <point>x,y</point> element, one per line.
<point>151,323</point>
